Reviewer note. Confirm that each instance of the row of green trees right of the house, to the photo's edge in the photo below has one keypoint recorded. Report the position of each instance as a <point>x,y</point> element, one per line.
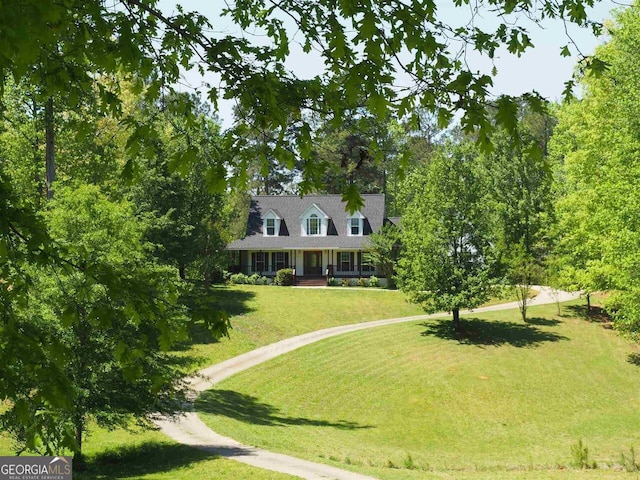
<point>553,202</point>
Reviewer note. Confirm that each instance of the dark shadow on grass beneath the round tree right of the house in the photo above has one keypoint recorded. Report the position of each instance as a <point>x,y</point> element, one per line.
<point>478,332</point>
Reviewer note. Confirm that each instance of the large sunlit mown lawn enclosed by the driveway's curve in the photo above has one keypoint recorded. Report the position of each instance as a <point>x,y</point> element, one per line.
<point>413,401</point>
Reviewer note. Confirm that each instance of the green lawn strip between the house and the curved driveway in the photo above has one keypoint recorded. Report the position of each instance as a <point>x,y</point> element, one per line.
<point>261,315</point>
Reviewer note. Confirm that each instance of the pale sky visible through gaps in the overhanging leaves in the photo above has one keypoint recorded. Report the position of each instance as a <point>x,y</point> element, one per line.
<point>542,68</point>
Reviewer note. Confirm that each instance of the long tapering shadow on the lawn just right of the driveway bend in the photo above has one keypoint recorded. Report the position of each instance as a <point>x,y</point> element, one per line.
<point>248,409</point>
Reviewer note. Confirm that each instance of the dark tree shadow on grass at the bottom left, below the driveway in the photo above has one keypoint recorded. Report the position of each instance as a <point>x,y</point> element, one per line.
<point>144,459</point>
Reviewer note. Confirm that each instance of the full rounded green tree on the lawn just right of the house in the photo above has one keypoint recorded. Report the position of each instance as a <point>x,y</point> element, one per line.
<point>447,253</point>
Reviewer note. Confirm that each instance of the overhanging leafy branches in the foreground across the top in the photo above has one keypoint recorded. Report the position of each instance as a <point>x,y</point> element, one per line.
<point>360,46</point>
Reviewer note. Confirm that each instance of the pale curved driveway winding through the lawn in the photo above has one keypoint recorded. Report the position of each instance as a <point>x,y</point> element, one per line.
<point>190,430</point>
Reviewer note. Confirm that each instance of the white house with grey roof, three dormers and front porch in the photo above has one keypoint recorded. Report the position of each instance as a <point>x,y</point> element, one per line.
<point>313,235</point>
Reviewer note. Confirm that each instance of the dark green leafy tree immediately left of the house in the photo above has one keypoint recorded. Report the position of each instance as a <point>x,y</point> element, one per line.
<point>183,213</point>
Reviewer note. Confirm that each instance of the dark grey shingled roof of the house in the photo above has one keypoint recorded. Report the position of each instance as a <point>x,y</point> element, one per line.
<point>291,208</point>
